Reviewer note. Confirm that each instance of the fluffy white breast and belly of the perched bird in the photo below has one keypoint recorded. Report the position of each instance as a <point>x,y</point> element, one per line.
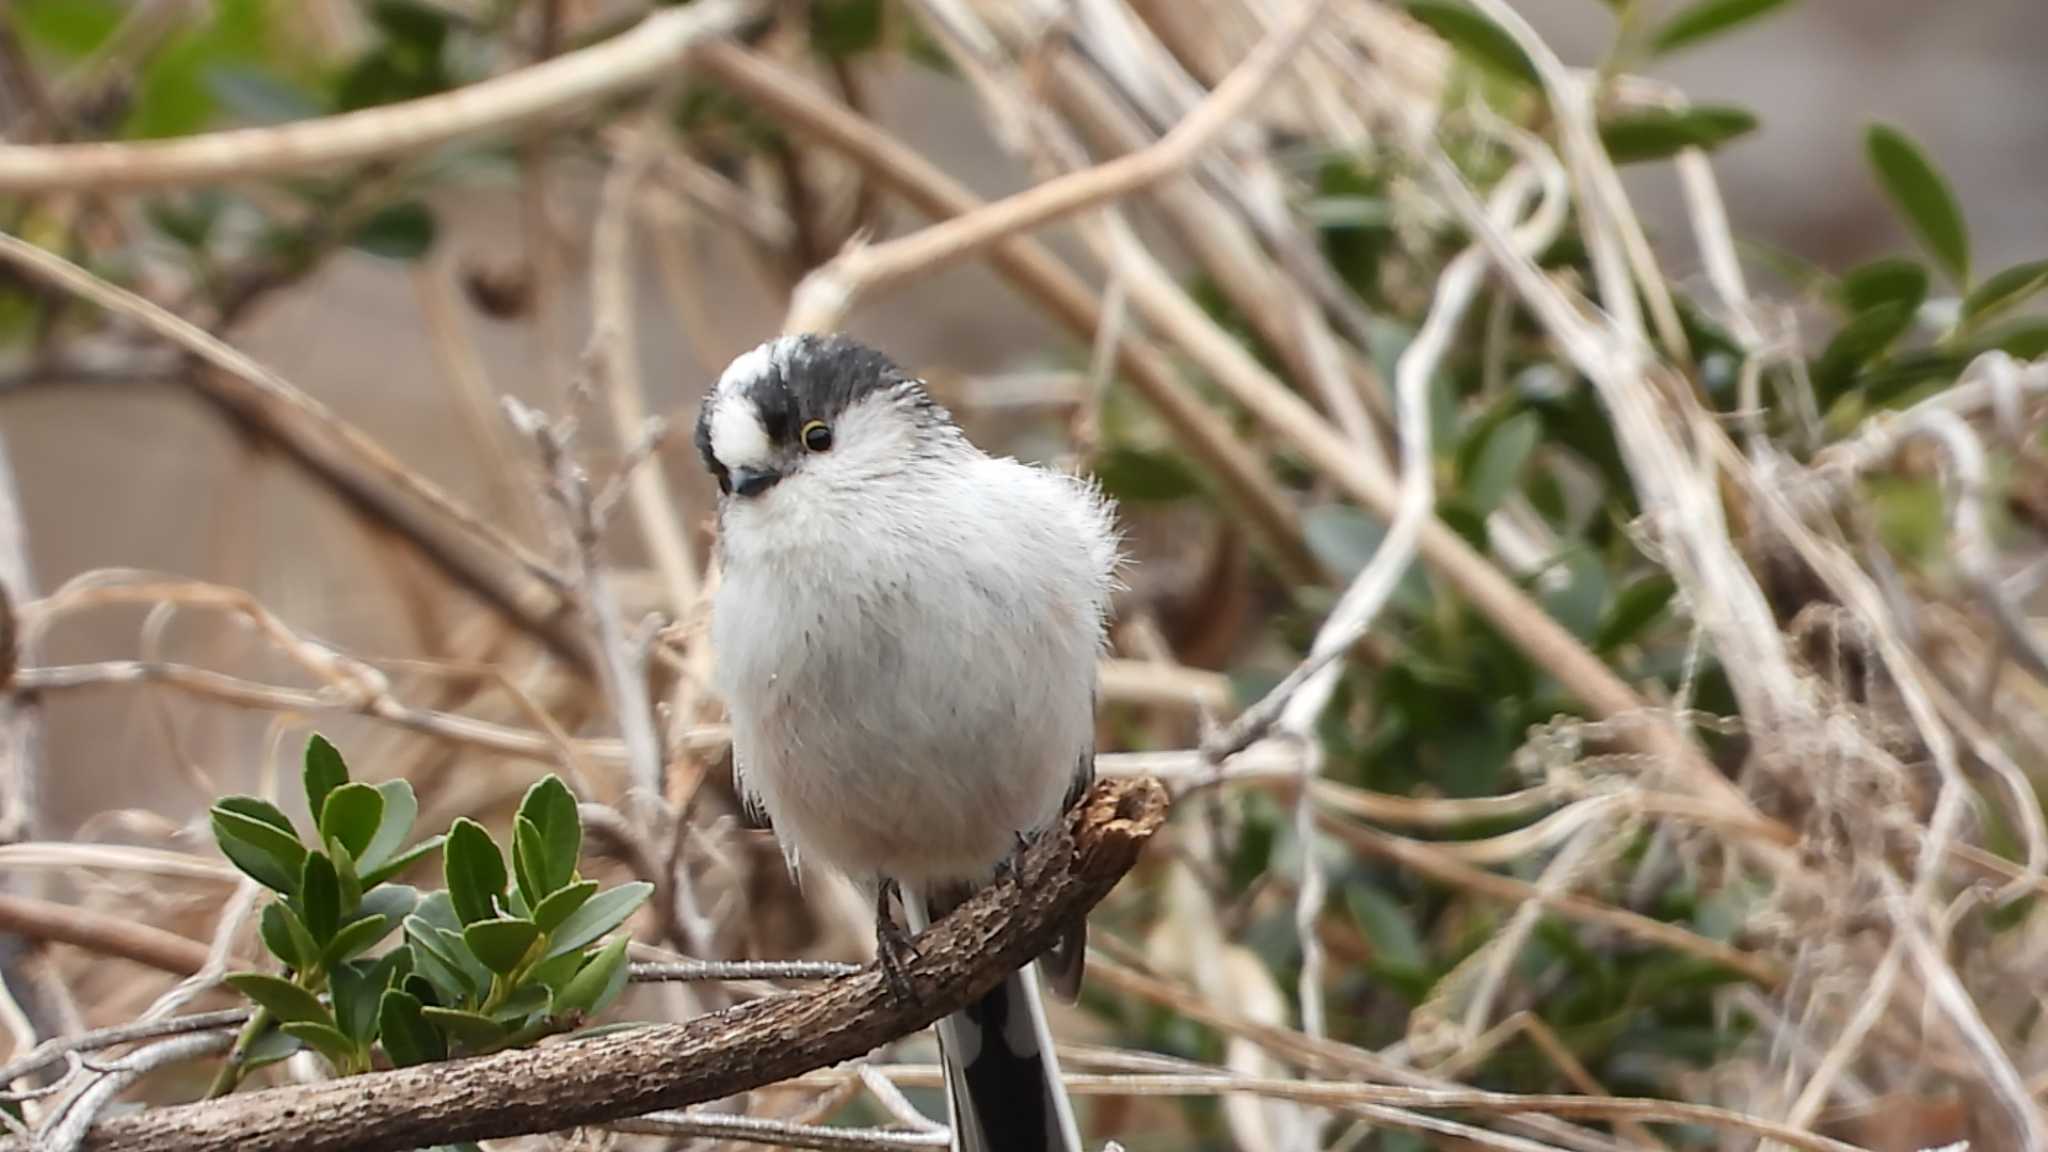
<point>908,649</point>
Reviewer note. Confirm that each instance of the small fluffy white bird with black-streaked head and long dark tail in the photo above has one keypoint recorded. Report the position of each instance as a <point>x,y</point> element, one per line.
<point>906,641</point>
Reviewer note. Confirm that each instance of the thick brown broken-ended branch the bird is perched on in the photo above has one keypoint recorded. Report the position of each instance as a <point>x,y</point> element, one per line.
<point>667,1067</point>
